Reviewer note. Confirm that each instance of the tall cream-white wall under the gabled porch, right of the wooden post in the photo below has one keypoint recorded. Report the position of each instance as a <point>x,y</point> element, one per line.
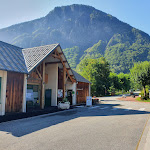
<point>52,71</point>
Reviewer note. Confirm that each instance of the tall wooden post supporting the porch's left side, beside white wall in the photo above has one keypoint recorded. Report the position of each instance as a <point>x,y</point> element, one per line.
<point>43,87</point>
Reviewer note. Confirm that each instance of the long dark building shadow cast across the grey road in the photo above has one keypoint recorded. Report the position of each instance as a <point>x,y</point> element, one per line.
<point>19,128</point>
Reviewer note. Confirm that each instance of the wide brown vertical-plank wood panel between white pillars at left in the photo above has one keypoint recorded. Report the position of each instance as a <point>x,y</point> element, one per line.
<point>14,92</point>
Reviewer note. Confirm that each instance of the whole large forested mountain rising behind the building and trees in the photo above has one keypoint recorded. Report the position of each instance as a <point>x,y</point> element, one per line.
<point>83,31</point>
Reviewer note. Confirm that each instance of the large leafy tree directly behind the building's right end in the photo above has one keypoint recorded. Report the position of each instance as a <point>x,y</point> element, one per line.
<point>97,71</point>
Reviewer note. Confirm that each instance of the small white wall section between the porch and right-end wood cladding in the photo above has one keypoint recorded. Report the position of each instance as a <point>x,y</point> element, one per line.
<point>70,86</point>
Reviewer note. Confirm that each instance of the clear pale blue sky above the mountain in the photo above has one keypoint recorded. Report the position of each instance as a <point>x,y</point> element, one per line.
<point>134,12</point>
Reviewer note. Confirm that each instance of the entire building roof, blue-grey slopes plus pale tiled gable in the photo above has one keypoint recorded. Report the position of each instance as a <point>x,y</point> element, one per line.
<point>13,58</point>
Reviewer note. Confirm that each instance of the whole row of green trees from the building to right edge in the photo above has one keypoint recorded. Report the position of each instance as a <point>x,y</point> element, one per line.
<point>106,82</point>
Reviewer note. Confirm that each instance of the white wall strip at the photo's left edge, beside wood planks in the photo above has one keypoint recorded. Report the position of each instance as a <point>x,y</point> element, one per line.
<point>3,75</point>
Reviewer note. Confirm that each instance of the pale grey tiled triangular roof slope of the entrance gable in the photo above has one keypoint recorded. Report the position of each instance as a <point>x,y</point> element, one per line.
<point>33,56</point>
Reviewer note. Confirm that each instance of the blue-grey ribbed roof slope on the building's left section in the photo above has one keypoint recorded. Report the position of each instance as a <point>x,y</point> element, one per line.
<point>11,58</point>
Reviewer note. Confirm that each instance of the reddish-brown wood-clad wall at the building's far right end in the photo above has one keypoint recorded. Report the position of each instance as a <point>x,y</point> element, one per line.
<point>82,92</point>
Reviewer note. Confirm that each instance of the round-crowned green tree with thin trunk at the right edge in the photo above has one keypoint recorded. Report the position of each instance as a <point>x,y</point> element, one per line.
<point>140,74</point>
